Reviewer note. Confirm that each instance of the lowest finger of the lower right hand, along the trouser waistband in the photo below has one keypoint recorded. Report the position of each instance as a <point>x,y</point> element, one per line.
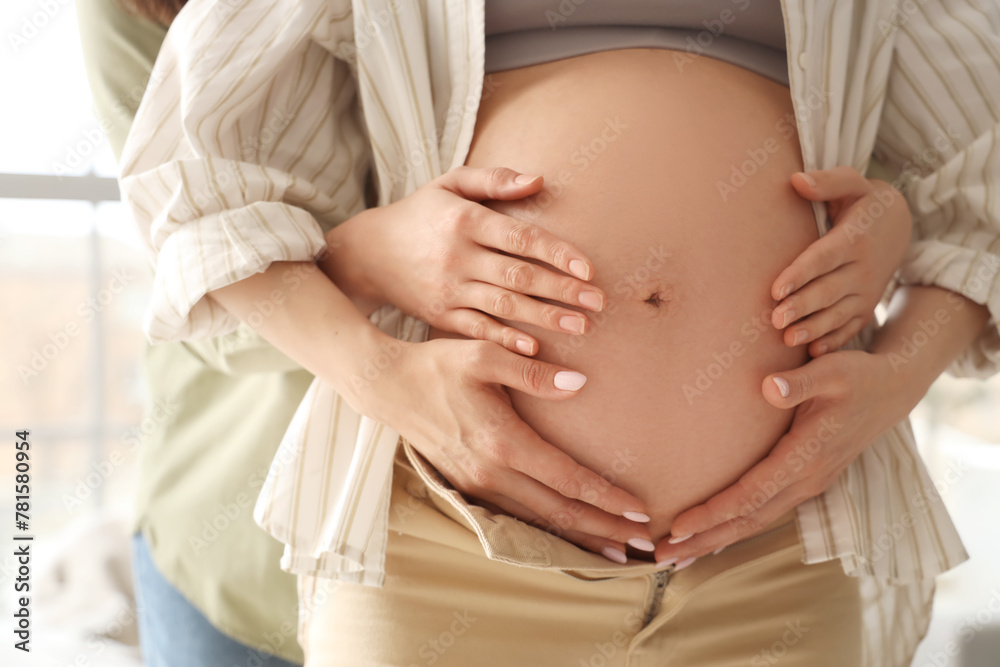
<point>717,538</point>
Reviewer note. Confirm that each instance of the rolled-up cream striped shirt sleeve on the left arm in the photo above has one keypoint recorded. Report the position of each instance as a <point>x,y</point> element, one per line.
<point>247,147</point>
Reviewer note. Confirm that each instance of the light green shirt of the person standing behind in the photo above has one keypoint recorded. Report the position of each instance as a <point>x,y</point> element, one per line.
<point>218,409</point>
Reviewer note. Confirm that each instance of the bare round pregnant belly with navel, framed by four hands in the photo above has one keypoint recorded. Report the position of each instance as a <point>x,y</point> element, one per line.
<point>676,186</point>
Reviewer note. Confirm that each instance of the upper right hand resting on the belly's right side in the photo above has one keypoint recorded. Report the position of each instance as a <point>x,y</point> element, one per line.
<point>829,293</point>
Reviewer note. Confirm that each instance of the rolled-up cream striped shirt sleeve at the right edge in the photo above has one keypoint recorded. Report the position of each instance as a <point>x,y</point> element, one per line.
<point>940,136</point>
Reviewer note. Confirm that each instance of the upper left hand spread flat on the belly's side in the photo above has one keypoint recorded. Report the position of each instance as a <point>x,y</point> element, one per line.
<point>441,256</point>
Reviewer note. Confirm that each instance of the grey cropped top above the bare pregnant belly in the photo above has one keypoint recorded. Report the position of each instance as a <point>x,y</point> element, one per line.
<point>746,33</point>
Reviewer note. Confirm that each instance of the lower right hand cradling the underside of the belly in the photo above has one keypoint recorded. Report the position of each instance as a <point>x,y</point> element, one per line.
<point>843,401</point>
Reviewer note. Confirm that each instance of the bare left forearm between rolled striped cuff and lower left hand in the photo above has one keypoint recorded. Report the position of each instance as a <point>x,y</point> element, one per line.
<point>296,308</point>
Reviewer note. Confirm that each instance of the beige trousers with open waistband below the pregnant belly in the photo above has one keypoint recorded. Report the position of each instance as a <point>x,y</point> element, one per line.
<point>468,588</point>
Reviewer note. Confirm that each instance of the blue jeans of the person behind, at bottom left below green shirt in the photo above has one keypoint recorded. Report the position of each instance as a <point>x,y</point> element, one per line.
<point>173,633</point>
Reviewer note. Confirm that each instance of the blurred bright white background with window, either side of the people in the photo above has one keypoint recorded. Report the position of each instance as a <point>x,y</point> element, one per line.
<point>73,288</point>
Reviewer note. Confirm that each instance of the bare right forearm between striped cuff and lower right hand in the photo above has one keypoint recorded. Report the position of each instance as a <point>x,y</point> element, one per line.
<point>927,329</point>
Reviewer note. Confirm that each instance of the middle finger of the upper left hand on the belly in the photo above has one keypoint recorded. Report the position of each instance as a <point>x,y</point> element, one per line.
<point>527,278</point>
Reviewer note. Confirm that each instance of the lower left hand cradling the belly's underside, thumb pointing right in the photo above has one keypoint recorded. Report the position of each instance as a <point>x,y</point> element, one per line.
<point>448,398</point>
